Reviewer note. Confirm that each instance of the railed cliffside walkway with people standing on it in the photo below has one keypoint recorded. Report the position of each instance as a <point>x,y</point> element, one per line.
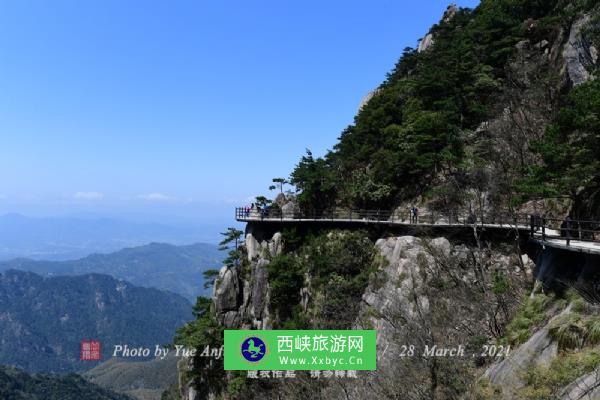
<point>571,235</point>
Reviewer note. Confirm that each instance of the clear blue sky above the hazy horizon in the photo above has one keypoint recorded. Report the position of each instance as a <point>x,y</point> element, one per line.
<point>181,109</point>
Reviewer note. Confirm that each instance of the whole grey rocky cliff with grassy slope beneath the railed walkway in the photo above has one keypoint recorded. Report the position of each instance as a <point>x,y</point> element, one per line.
<point>423,292</point>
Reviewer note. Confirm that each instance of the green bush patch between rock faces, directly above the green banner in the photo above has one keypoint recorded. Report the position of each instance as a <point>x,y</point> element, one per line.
<point>336,265</point>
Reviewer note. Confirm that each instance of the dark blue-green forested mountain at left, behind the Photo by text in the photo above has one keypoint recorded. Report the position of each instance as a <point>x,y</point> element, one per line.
<point>43,320</point>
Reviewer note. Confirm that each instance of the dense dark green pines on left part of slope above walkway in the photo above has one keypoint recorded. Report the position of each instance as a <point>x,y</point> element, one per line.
<point>413,131</point>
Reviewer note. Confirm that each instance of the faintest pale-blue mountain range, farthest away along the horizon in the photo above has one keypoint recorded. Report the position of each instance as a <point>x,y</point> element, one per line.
<point>66,238</point>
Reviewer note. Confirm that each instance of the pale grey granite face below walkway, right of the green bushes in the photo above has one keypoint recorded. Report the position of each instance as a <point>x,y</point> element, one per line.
<point>430,292</point>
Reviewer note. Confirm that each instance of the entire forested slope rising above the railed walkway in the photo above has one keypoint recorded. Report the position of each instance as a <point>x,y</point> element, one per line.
<point>493,106</point>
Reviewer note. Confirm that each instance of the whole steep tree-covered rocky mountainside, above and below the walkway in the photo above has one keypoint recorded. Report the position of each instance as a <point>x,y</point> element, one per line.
<point>497,109</point>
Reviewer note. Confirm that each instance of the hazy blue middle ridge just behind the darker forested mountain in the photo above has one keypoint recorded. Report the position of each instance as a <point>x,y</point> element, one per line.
<point>163,266</point>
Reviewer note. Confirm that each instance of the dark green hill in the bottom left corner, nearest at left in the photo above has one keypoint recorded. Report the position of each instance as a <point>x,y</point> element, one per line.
<point>20,385</point>
